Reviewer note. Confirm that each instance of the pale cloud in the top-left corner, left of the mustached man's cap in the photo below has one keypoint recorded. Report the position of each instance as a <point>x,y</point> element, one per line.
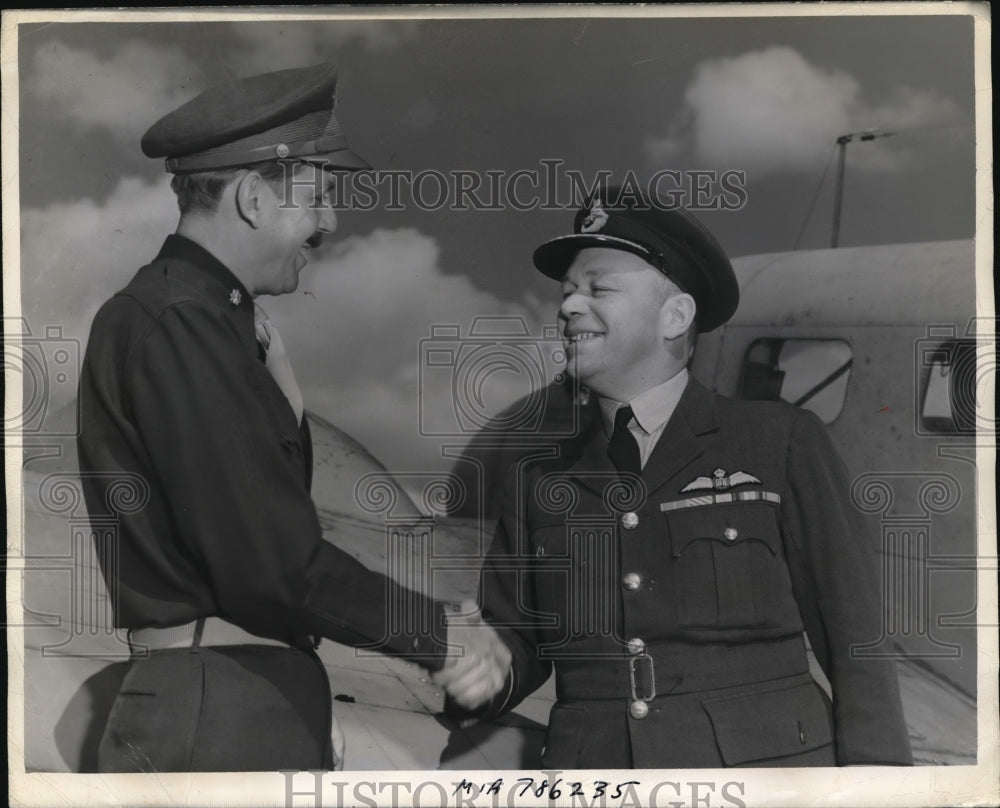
<point>121,95</point>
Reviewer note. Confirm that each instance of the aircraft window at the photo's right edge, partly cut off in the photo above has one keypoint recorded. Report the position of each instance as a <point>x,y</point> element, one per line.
<point>949,402</point>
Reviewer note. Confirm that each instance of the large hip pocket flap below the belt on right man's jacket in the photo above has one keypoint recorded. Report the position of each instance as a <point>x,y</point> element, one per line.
<point>773,724</point>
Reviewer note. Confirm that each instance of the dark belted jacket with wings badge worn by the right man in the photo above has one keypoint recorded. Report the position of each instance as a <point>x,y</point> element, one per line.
<point>672,604</point>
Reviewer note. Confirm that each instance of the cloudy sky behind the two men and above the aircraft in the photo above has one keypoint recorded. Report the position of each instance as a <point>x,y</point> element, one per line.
<point>765,96</point>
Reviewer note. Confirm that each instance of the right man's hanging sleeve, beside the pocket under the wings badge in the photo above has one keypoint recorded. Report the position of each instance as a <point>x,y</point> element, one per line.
<point>835,580</point>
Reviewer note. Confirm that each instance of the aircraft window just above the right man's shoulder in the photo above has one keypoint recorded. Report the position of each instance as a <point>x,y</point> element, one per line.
<point>809,373</point>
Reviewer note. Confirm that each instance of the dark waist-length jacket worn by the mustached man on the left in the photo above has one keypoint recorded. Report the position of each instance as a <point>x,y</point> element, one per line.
<point>180,414</point>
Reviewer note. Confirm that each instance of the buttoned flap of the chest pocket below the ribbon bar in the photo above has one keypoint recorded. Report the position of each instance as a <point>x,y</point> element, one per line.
<point>729,523</point>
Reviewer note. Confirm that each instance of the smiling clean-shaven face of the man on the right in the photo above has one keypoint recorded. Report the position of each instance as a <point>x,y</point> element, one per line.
<point>621,319</point>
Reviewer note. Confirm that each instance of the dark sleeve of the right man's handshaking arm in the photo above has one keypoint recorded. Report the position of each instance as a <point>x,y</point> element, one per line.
<point>507,600</point>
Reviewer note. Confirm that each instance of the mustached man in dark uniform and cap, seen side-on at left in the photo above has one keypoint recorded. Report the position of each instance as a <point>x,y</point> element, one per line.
<point>191,415</point>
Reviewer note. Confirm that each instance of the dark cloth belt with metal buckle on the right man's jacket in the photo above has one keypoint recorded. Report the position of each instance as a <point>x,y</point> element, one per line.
<point>665,668</point>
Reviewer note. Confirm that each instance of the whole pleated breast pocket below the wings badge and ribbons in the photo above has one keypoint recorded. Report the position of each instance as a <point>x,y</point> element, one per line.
<point>729,566</point>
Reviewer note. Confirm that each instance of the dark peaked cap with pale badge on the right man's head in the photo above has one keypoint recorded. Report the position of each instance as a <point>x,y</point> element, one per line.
<point>669,238</point>
